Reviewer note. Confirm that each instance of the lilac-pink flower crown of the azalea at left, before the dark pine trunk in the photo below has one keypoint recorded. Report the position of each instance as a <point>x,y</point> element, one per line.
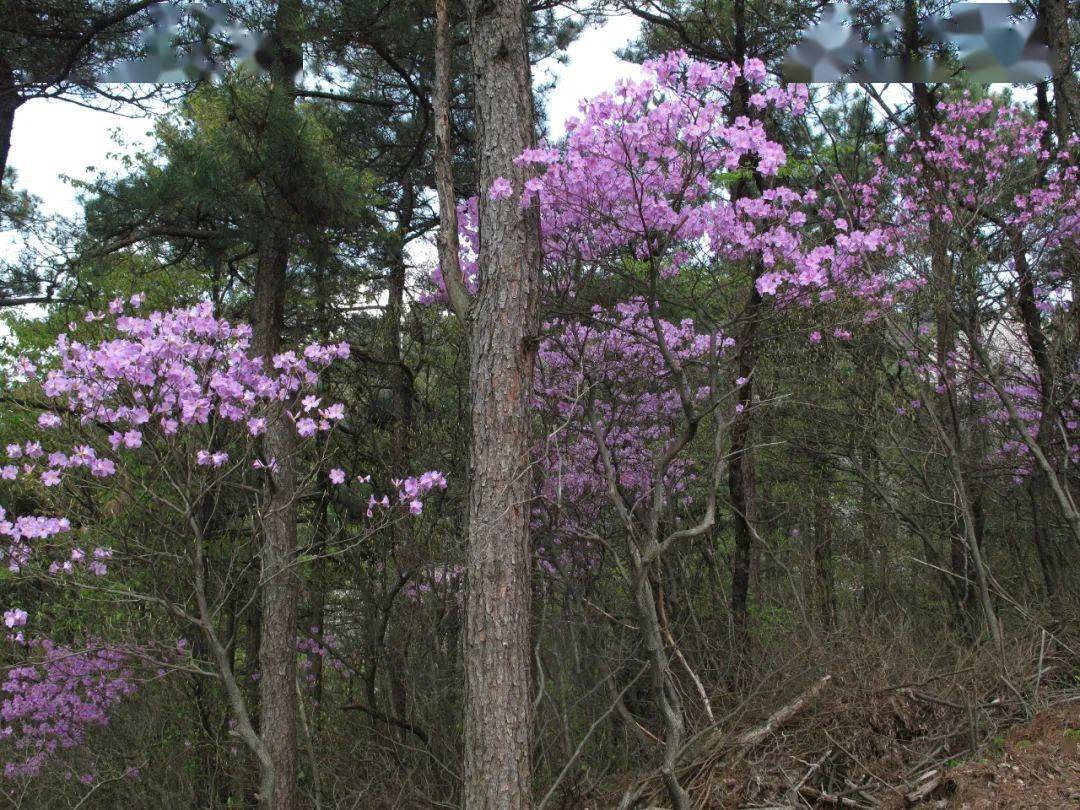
<point>154,376</point>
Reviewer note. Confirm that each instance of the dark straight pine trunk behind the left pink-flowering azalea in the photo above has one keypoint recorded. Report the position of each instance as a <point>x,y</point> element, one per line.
<point>279,584</point>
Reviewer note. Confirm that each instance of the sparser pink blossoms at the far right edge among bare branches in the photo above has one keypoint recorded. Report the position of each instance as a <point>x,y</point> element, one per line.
<point>987,173</point>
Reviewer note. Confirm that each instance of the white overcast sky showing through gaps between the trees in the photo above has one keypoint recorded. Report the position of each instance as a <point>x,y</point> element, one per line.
<point>53,140</point>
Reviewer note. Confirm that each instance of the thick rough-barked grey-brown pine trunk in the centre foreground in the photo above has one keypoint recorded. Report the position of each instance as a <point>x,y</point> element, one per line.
<point>503,353</point>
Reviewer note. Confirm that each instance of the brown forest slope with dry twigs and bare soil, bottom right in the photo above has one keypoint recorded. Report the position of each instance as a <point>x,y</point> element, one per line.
<point>938,744</point>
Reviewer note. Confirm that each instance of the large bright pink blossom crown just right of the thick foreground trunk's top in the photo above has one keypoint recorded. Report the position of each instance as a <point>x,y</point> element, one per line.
<point>646,171</point>
